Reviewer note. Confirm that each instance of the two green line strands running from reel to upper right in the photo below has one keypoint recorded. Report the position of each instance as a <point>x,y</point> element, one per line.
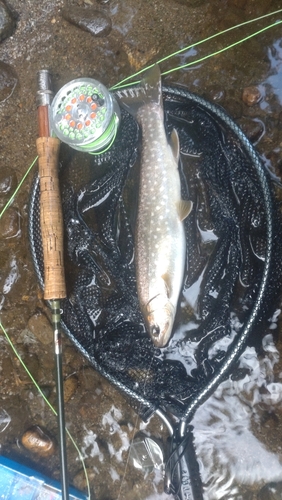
<point>120,84</point>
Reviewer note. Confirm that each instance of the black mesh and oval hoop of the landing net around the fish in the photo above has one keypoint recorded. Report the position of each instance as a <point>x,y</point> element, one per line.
<point>233,271</point>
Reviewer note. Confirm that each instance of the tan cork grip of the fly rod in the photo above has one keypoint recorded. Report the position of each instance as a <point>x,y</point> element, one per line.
<point>51,219</point>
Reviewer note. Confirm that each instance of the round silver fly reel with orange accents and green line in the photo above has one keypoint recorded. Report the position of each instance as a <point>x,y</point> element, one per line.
<point>85,115</point>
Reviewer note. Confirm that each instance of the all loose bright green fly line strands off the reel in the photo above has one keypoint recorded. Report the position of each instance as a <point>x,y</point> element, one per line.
<point>116,86</point>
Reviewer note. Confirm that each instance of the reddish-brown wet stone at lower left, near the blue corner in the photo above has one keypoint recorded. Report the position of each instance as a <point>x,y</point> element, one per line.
<point>38,441</point>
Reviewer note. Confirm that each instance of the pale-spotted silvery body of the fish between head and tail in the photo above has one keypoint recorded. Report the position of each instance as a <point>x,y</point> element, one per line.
<point>160,238</point>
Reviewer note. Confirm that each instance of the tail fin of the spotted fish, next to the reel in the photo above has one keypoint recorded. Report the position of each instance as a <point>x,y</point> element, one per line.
<point>149,91</point>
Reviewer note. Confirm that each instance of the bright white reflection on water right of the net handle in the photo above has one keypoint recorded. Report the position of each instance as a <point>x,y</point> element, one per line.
<point>231,455</point>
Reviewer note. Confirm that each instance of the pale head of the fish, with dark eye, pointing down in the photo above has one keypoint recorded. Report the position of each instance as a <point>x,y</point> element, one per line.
<point>159,318</point>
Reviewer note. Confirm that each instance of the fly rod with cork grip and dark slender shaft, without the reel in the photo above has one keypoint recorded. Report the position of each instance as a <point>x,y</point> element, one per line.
<point>51,223</point>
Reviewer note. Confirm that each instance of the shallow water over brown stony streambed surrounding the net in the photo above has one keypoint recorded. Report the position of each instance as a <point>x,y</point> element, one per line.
<point>238,430</point>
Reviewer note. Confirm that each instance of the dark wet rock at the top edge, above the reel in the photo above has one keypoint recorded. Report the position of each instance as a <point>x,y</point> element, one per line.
<point>89,19</point>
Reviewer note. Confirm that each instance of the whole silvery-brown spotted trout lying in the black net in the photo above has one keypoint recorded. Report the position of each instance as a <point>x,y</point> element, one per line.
<point>160,243</point>
